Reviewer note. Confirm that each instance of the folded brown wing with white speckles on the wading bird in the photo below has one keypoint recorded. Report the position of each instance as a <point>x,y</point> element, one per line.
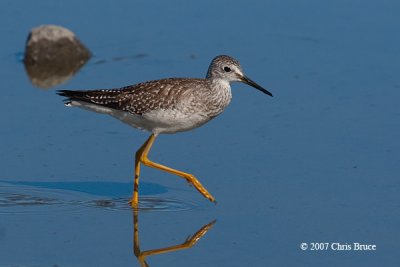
<point>136,99</point>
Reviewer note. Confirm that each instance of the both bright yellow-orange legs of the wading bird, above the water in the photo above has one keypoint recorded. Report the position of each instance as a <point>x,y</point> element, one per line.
<point>141,157</point>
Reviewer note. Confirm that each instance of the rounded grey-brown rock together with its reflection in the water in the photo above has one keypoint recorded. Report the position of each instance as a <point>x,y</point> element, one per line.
<point>53,54</point>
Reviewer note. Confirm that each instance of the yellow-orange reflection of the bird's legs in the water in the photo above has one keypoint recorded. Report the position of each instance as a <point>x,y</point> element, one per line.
<point>188,243</point>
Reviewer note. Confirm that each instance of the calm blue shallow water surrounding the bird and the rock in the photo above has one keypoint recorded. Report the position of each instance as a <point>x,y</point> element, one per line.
<point>318,163</point>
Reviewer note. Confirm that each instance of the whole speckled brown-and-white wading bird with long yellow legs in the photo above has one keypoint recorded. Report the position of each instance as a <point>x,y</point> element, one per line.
<point>166,106</point>
